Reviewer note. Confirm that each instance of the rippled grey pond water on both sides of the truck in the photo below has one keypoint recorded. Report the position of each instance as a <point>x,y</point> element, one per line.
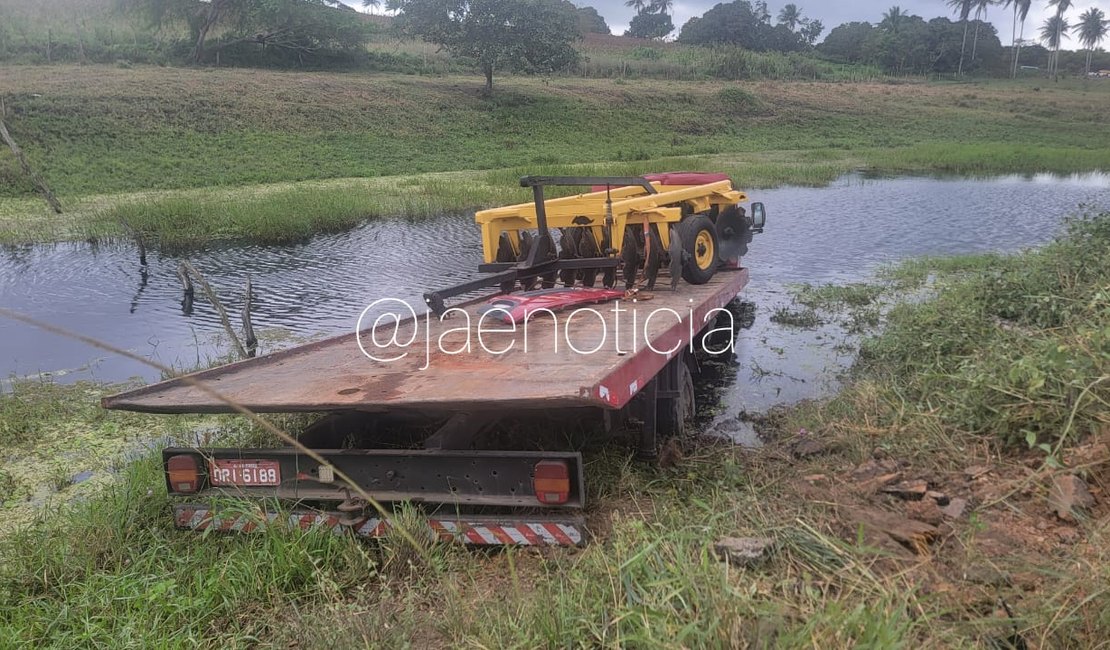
<point>833,235</point>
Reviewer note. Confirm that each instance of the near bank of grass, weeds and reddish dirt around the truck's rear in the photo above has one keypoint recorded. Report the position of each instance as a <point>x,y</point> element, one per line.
<point>988,385</point>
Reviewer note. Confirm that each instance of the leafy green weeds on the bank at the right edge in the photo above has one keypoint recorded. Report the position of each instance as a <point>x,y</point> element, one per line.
<point>1012,347</point>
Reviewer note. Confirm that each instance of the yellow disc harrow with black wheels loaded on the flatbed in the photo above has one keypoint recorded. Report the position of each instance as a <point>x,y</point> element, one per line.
<point>690,224</point>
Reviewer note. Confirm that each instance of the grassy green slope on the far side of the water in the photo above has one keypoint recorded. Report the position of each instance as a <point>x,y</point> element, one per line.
<point>169,150</point>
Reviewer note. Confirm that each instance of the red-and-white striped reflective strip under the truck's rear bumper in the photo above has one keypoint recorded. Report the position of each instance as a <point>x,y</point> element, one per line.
<point>478,530</point>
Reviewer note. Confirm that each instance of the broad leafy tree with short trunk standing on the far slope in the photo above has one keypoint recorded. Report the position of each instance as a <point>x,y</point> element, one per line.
<point>531,36</point>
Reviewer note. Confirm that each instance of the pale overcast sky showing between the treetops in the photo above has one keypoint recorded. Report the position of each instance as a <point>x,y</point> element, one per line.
<point>834,13</point>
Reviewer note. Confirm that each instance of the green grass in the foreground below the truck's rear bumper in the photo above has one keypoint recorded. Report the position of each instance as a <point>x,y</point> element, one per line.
<point>113,573</point>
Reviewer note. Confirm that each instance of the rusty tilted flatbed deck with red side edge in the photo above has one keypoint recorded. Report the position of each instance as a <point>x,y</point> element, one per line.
<point>538,369</point>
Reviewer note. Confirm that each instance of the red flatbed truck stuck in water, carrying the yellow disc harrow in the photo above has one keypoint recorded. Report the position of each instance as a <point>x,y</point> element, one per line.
<point>451,373</point>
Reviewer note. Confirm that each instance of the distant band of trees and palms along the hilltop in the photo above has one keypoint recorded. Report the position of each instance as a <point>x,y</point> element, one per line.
<point>540,36</point>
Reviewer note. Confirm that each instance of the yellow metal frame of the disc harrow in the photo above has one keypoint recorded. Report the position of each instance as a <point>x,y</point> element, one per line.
<point>631,206</point>
